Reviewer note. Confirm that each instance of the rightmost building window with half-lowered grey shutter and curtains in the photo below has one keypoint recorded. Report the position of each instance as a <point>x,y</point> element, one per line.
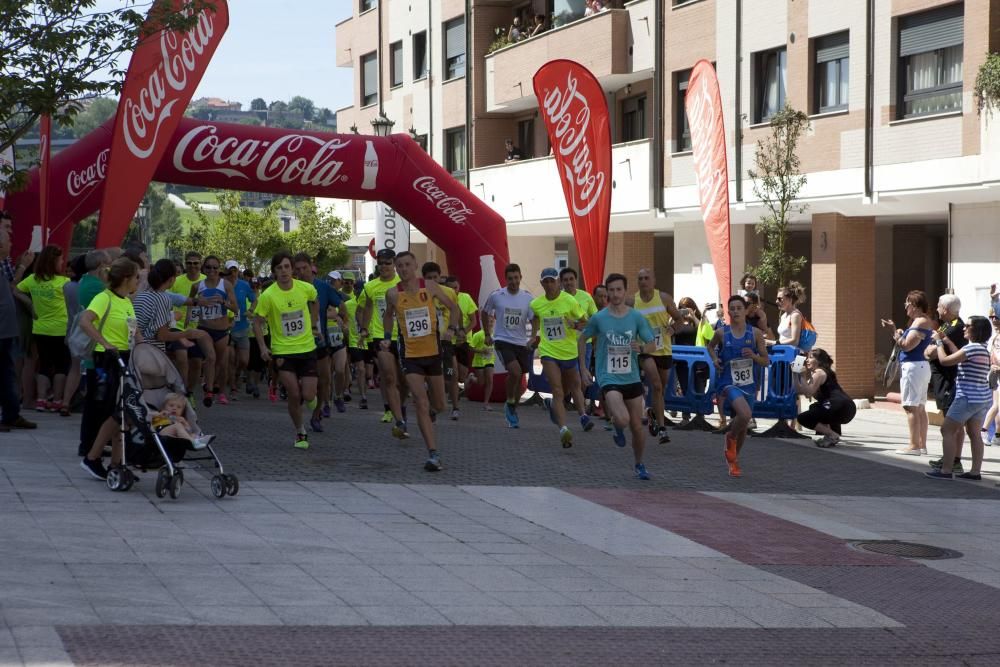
<point>930,62</point>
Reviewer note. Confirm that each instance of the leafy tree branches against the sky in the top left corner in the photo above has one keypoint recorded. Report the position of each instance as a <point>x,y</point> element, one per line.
<point>57,52</point>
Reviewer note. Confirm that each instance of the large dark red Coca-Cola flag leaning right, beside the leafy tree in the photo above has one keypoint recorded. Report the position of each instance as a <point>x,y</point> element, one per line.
<point>162,76</point>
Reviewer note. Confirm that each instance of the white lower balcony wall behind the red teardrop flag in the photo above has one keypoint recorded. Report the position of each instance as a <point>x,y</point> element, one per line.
<point>529,191</point>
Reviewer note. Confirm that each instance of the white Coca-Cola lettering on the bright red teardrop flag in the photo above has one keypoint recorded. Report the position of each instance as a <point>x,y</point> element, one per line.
<point>568,114</point>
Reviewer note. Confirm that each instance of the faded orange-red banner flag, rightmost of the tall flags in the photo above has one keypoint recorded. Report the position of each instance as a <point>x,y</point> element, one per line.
<point>703,106</point>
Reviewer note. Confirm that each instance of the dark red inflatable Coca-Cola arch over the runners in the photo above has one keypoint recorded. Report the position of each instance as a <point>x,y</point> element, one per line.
<point>239,157</point>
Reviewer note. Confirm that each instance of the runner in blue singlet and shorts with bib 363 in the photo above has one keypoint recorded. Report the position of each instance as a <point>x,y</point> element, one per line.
<point>742,347</point>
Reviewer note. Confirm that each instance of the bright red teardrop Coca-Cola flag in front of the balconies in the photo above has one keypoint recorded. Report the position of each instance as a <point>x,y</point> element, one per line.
<point>576,117</point>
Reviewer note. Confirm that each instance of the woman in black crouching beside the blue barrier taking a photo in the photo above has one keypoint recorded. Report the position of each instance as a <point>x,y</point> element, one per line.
<point>832,407</point>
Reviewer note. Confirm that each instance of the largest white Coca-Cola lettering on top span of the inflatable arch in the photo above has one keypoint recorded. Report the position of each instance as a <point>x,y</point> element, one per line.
<point>292,158</point>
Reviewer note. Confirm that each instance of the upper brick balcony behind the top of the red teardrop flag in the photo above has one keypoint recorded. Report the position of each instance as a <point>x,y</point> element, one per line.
<point>601,43</point>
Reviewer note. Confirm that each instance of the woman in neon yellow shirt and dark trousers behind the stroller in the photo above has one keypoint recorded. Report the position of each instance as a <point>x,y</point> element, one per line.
<point>110,323</point>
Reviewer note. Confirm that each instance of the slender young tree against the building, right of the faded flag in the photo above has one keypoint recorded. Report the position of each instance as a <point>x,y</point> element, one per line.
<point>777,181</point>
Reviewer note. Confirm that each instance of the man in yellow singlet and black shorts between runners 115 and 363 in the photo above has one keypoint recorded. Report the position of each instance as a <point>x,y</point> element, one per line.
<point>658,308</point>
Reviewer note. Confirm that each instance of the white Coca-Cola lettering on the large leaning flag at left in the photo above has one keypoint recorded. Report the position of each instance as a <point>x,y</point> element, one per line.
<point>143,116</point>
